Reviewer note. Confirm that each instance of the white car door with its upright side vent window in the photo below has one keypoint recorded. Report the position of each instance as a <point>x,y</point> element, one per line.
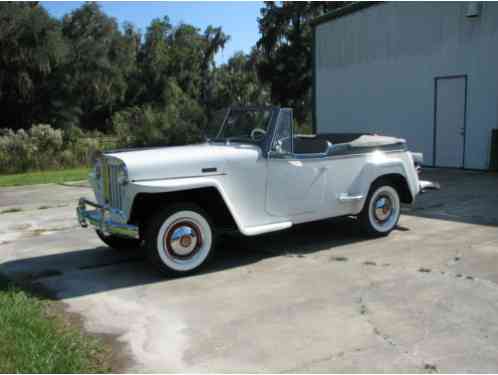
<point>295,183</point>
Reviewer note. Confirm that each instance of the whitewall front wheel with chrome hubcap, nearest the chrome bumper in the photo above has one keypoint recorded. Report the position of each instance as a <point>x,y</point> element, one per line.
<point>180,239</point>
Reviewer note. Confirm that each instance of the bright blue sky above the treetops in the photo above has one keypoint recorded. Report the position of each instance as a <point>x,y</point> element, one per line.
<point>238,19</point>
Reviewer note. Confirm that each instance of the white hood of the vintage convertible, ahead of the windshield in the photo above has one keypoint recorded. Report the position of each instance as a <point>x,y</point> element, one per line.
<point>178,161</point>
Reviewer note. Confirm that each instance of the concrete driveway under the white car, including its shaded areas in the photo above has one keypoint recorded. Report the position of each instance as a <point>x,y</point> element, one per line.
<point>318,297</point>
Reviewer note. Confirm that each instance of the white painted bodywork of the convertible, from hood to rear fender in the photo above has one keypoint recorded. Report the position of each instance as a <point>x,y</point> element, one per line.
<point>263,194</point>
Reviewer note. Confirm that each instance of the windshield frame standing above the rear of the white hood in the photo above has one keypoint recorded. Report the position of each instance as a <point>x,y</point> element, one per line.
<point>264,144</point>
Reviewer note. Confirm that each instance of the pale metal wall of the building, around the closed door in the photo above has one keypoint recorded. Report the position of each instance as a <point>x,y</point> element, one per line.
<point>375,71</point>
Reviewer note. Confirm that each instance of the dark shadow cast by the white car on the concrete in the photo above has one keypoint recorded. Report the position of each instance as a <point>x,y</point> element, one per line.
<point>100,269</point>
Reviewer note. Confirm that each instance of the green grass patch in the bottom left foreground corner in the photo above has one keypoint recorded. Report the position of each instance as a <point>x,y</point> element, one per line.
<point>36,339</point>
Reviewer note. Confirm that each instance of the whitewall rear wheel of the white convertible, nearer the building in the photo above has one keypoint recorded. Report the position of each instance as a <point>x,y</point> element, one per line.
<point>382,209</point>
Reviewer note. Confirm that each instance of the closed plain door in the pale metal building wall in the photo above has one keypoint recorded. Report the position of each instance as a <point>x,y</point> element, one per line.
<point>449,126</point>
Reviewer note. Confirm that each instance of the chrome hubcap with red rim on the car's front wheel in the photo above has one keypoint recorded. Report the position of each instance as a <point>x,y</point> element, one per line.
<point>183,239</point>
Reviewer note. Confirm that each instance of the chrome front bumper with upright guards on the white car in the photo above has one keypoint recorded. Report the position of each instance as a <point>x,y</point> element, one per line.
<point>99,218</point>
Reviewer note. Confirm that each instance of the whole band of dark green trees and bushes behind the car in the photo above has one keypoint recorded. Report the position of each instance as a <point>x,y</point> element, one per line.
<point>85,72</point>
